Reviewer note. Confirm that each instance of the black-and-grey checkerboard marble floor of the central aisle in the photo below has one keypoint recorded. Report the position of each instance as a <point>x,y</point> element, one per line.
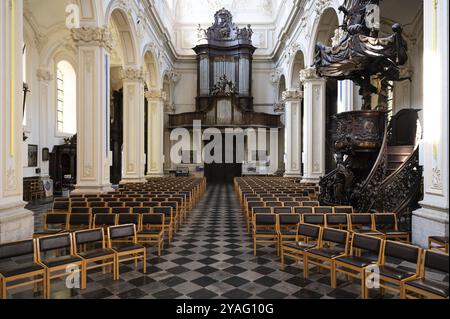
<point>210,257</point>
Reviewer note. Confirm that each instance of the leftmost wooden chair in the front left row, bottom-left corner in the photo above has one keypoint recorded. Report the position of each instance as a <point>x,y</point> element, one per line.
<point>29,273</point>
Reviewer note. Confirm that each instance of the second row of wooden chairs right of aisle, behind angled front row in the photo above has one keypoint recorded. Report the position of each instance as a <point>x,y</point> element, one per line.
<point>280,228</point>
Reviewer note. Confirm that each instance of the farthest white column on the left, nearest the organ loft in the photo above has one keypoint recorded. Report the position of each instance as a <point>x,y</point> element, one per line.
<point>155,157</point>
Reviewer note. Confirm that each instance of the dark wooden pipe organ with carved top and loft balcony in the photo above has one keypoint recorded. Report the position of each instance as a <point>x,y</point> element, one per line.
<point>224,90</point>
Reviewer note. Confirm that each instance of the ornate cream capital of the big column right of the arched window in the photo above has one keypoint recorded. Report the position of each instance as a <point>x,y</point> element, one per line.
<point>93,36</point>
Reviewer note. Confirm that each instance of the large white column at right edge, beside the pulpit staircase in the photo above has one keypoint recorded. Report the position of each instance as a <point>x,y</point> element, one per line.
<point>432,218</point>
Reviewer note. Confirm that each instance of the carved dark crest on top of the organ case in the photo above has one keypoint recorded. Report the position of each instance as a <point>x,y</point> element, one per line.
<point>224,30</point>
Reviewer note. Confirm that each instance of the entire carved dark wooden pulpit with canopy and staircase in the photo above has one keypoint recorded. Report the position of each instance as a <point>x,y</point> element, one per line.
<point>377,158</point>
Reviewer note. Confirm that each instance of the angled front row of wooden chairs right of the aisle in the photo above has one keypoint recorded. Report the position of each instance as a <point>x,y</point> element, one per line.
<point>365,258</point>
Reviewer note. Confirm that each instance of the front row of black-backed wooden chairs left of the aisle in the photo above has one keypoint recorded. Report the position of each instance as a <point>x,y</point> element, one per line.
<point>71,254</point>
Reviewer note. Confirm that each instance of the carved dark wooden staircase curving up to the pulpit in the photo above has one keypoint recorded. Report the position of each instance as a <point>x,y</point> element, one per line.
<point>394,183</point>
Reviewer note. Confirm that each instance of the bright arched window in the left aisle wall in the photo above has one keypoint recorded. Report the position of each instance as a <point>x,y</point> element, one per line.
<point>66,98</point>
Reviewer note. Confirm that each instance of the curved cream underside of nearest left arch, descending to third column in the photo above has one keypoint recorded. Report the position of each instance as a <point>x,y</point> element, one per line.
<point>123,24</point>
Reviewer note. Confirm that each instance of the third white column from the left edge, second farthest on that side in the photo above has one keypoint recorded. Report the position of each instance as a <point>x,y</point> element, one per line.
<point>133,126</point>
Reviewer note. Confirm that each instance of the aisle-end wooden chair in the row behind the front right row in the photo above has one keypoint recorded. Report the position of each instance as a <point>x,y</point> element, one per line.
<point>265,230</point>
